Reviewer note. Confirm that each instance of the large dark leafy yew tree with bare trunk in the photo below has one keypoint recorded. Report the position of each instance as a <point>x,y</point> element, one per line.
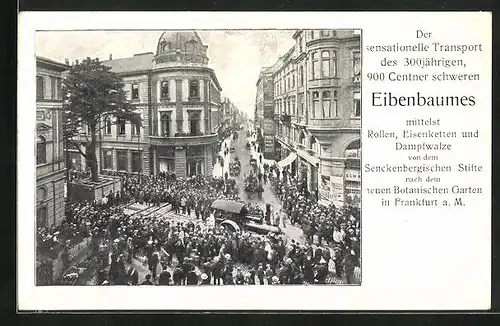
<point>92,94</point>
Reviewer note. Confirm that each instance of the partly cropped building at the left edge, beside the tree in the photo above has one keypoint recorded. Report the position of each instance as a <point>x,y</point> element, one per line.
<point>50,158</point>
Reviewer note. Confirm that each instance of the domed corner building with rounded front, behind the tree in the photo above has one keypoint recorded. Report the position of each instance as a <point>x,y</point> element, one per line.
<point>179,97</point>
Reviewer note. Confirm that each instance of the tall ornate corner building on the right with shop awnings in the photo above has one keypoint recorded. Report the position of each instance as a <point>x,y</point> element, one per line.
<point>317,101</point>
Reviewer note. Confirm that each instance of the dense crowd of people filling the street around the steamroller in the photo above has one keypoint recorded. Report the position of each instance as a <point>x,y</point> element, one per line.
<point>195,251</point>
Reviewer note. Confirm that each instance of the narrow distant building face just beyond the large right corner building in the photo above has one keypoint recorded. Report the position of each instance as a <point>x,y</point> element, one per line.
<point>265,111</point>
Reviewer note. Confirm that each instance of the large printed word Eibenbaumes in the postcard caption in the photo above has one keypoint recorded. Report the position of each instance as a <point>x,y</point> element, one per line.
<point>388,99</point>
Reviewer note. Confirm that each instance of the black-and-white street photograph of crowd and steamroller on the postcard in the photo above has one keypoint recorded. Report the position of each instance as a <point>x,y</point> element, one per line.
<point>198,157</point>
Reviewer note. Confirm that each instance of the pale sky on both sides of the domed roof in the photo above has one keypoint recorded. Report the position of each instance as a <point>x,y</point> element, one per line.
<point>236,56</point>
